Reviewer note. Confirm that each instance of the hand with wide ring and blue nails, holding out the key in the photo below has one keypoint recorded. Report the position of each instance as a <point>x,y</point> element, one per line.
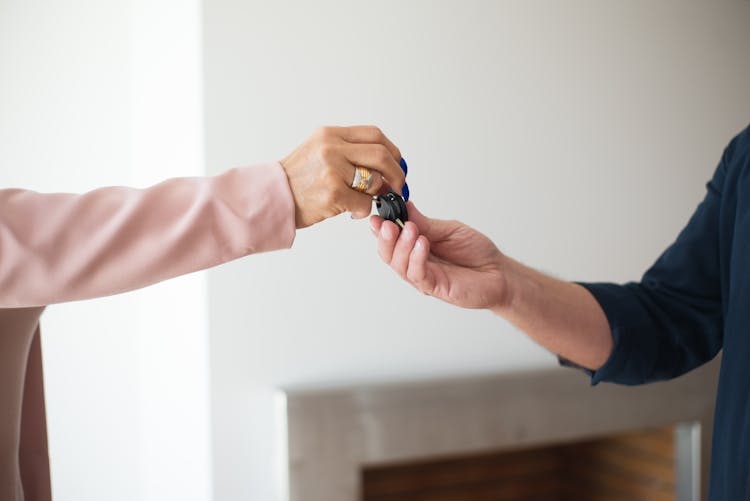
<point>321,171</point>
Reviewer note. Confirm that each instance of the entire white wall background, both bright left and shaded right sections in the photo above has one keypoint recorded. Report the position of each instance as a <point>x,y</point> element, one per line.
<point>578,135</point>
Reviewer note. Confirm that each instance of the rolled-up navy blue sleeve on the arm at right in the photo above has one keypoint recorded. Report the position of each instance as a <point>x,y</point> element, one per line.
<point>671,321</point>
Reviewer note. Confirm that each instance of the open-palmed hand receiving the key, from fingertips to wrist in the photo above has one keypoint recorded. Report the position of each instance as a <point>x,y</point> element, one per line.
<point>444,259</point>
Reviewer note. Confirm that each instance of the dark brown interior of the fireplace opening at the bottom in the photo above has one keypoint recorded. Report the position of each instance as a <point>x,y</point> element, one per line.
<point>633,467</point>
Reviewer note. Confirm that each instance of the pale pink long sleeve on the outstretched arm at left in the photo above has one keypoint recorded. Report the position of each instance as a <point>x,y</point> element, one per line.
<point>63,247</point>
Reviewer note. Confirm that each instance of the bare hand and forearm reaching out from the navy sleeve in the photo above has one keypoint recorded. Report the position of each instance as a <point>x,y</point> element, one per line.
<point>459,265</point>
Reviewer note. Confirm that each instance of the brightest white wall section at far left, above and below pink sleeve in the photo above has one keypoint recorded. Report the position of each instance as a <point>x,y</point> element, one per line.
<point>96,93</point>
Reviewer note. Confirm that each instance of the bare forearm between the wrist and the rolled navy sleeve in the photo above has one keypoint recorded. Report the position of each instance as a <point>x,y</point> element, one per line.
<point>563,317</point>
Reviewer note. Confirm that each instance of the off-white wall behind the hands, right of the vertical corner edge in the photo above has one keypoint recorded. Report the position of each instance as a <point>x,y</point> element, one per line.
<point>577,134</point>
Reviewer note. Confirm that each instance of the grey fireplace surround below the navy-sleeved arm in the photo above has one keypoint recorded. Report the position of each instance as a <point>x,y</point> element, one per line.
<point>332,433</point>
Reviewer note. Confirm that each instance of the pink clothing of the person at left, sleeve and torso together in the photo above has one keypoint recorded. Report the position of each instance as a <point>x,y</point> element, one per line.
<point>64,247</point>
